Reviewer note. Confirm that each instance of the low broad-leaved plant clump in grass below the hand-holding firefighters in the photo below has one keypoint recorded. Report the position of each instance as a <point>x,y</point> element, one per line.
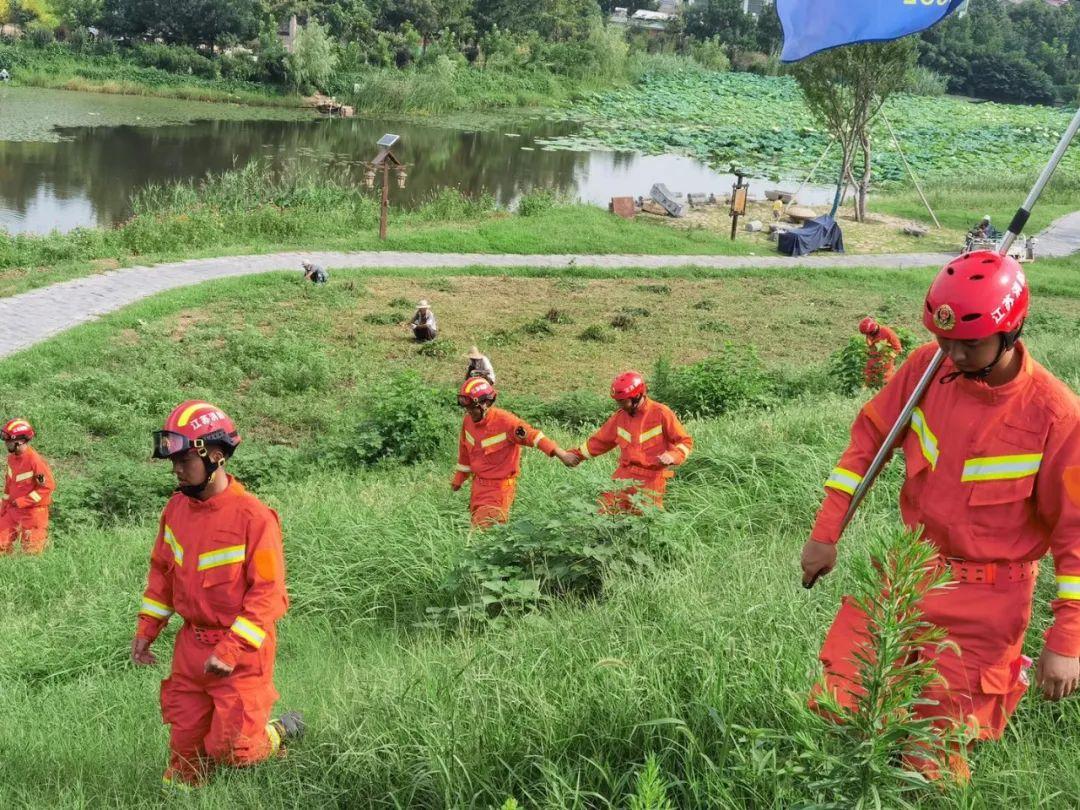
<point>529,563</point>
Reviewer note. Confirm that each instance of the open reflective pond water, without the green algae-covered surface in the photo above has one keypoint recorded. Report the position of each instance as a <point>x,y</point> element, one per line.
<point>89,177</point>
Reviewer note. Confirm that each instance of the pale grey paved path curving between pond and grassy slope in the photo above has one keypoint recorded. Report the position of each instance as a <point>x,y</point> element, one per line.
<point>33,317</point>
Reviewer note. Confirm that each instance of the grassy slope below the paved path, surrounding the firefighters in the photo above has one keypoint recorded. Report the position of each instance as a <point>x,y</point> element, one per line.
<point>559,710</point>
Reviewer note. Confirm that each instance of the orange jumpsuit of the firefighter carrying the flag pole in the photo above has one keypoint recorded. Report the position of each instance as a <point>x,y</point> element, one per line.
<point>993,477</point>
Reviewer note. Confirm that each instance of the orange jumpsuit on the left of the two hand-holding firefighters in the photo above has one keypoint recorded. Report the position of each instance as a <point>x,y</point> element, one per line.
<point>491,452</point>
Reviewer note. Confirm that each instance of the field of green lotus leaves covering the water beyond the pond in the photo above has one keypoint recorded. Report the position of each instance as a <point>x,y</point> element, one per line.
<point>762,125</point>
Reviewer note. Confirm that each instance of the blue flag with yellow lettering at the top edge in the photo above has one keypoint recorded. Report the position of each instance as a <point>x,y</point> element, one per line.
<point>818,25</point>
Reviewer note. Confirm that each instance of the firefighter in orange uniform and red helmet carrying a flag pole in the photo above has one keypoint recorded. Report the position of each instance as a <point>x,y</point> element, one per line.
<point>993,479</point>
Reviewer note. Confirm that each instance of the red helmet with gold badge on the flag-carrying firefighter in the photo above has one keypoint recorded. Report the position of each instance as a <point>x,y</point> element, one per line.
<point>978,295</point>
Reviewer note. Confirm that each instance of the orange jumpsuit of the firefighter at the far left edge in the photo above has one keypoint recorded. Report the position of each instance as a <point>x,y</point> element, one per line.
<point>24,512</point>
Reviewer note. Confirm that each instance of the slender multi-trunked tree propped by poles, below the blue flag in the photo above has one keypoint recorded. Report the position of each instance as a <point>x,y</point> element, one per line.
<point>845,89</point>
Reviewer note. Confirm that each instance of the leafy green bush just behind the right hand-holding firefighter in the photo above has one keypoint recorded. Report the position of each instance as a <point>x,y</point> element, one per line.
<point>733,381</point>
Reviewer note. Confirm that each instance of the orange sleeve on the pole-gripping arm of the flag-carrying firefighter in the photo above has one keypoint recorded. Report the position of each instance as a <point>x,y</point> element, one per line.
<point>869,431</point>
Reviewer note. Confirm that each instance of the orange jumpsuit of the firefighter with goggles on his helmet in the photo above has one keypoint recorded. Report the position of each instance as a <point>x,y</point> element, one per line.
<point>220,565</point>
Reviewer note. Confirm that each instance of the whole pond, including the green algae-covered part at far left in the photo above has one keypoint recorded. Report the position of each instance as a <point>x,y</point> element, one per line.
<point>71,160</point>
